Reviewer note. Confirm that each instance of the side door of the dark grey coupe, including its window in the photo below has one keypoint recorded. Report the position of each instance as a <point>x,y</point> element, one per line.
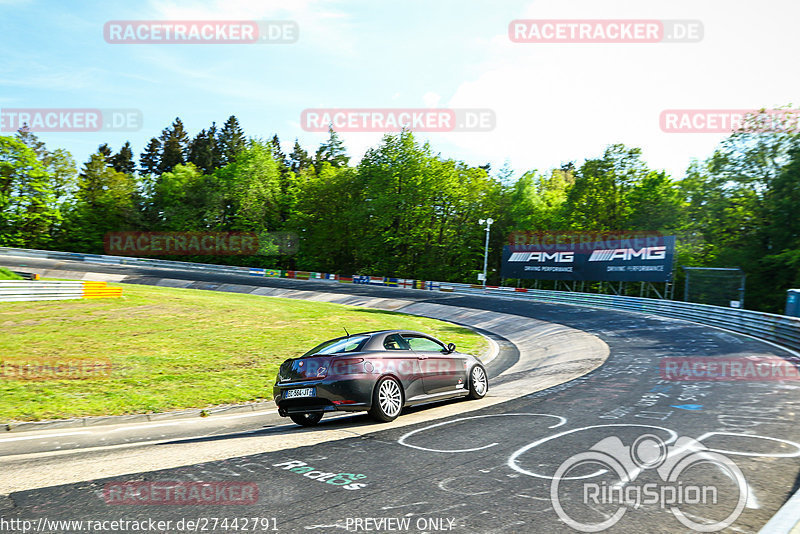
<point>441,371</point>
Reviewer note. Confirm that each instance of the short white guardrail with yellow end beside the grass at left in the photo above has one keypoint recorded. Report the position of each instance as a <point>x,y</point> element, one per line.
<point>23,290</point>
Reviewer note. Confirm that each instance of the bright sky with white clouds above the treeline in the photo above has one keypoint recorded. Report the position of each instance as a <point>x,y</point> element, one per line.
<point>553,102</point>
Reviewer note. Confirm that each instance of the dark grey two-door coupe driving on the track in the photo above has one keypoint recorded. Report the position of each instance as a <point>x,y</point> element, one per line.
<point>379,372</point>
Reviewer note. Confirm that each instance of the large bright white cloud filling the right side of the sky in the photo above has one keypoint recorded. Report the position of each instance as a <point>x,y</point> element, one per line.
<point>561,102</point>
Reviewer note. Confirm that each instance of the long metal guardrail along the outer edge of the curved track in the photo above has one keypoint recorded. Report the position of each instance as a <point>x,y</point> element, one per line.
<point>780,329</point>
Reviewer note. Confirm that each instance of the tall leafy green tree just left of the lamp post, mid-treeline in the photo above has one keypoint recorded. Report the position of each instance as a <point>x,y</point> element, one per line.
<point>419,212</point>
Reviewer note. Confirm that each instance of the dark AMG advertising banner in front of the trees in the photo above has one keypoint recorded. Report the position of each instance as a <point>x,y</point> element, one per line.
<point>641,259</point>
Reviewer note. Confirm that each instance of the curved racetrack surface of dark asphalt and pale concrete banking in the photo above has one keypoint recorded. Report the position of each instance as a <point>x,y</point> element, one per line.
<point>542,454</point>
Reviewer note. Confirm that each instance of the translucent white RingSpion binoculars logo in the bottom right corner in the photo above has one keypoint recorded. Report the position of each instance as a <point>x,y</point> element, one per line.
<point>591,491</point>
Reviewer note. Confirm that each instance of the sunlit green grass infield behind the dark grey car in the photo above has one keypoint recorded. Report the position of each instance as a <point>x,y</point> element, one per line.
<point>171,348</point>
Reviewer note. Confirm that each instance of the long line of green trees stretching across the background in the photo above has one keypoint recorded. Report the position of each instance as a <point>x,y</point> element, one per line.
<point>405,210</point>
